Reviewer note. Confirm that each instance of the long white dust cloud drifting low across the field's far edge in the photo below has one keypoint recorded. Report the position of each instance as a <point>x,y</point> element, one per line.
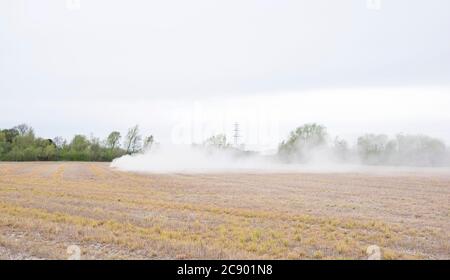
<point>200,159</point>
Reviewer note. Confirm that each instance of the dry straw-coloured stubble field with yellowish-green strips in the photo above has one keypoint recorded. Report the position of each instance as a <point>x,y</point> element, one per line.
<point>46,207</point>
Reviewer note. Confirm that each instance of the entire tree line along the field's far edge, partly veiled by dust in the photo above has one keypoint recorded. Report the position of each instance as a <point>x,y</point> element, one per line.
<point>305,143</point>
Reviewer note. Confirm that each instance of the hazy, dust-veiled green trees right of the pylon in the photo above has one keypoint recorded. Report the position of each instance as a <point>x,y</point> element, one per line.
<point>310,140</point>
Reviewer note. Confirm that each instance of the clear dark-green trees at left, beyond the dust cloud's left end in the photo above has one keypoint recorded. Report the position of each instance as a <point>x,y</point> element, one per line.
<point>21,144</point>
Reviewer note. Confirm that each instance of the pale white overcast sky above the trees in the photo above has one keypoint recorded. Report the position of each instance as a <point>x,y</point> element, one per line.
<point>175,67</point>
